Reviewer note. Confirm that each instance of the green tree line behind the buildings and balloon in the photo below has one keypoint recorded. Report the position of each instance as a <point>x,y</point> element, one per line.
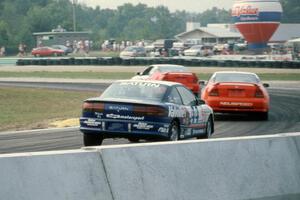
<point>20,18</point>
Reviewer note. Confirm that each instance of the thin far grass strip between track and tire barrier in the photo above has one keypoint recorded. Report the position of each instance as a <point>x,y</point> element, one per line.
<point>126,75</point>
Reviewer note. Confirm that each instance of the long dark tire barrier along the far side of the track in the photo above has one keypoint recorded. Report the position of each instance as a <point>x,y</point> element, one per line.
<point>148,61</point>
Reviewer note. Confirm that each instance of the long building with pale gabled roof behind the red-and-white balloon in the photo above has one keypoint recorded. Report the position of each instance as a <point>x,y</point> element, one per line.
<point>224,33</point>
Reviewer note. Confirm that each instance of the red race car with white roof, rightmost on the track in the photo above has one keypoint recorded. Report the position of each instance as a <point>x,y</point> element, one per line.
<point>243,92</point>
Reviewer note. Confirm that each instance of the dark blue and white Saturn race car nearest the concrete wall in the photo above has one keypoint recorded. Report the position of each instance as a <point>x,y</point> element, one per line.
<point>137,109</point>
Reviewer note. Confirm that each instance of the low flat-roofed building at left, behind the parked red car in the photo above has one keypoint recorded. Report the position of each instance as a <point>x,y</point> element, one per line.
<point>60,36</point>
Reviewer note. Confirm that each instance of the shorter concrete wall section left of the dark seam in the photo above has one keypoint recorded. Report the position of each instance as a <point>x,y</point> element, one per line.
<point>74,175</point>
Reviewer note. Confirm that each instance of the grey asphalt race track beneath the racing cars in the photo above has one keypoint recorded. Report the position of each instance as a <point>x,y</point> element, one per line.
<point>284,117</point>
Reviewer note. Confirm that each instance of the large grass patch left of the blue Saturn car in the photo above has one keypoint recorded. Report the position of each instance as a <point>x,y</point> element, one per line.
<point>26,108</point>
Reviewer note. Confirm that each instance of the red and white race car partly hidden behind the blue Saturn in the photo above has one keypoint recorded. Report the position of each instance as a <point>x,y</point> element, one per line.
<point>174,73</point>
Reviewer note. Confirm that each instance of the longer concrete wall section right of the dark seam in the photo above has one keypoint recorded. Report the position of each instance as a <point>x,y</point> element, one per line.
<point>216,169</point>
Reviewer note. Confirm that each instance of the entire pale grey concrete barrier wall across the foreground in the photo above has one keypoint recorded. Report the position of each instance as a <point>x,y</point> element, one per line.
<point>261,168</point>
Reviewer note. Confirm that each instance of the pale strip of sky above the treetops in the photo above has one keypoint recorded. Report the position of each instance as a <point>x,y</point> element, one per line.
<point>173,5</point>
